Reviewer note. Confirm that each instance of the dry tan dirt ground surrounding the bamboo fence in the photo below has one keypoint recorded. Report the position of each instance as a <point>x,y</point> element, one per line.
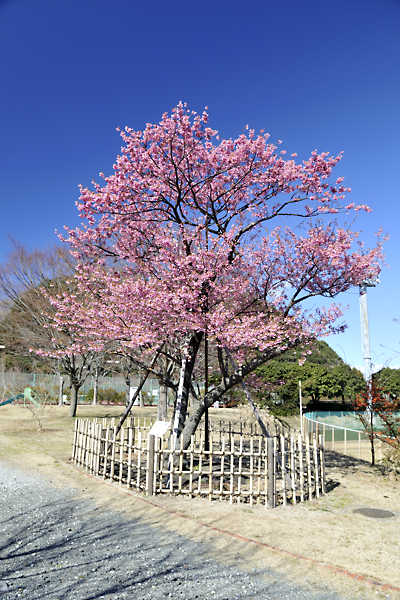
<point>325,530</point>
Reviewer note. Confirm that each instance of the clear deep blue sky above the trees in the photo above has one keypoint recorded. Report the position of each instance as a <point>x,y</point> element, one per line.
<point>317,74</point>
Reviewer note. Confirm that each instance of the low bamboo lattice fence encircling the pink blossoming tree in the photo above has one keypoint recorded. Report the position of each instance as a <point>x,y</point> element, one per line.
<point>239,467</point>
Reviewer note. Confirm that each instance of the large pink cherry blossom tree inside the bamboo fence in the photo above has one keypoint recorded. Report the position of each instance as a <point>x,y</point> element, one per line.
<point>195,237</point>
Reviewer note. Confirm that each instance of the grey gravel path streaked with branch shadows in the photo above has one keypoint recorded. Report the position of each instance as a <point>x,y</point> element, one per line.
<point>53,546</point>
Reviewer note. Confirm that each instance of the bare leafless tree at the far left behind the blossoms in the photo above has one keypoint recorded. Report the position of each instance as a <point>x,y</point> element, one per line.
<point>28,281</point>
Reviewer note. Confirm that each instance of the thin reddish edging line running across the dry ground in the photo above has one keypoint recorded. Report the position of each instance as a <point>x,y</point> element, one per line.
<point>383,586</point>
